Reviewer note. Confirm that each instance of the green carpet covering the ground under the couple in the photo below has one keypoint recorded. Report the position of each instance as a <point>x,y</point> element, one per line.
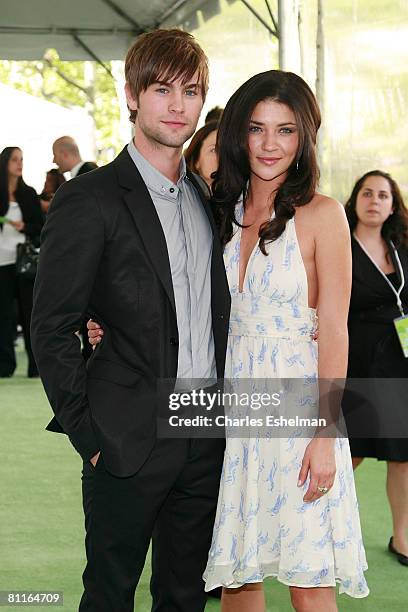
<point>41,522</point>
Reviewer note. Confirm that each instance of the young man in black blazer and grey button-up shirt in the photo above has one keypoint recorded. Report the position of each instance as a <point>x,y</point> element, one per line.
<point>143,258</point>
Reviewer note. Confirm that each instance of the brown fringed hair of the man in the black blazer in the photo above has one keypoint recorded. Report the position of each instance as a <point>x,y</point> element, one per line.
<point>164,55</point>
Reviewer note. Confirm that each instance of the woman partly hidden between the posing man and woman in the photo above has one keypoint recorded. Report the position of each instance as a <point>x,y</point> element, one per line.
<point>200,155</point>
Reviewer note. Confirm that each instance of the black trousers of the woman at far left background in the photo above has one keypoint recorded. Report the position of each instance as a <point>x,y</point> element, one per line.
<point>12,288</point>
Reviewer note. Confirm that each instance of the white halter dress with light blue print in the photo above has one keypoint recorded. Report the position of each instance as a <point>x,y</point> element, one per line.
<point>263,527</point>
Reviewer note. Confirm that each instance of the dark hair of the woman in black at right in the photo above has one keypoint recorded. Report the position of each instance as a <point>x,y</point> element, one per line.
<point>395,228</point>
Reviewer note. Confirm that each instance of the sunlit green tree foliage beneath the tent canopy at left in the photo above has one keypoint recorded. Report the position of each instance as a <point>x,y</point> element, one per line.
<point>72,84</point>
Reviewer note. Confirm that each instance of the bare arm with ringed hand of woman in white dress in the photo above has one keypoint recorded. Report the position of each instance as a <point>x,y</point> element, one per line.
<point>333,267</point>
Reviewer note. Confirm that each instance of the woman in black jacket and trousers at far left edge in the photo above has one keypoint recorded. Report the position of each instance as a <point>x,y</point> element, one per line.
<point>20,215</point>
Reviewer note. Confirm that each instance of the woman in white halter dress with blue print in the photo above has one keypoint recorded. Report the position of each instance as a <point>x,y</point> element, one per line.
<point>287,507</point>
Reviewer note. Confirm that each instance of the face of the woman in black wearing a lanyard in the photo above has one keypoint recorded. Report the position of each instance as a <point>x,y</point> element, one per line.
<point>374,201</point>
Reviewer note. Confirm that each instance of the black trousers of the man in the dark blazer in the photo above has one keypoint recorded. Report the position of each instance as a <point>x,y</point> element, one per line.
<point>171,501</point>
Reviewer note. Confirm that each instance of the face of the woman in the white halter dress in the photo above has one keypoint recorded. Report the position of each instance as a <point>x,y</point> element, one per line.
<point>273,140</point>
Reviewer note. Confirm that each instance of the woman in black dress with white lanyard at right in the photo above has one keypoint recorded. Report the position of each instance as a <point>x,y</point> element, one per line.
<point>378,221</point>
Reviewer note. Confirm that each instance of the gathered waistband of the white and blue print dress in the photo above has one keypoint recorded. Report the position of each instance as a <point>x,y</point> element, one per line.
<point>257,316</point>
